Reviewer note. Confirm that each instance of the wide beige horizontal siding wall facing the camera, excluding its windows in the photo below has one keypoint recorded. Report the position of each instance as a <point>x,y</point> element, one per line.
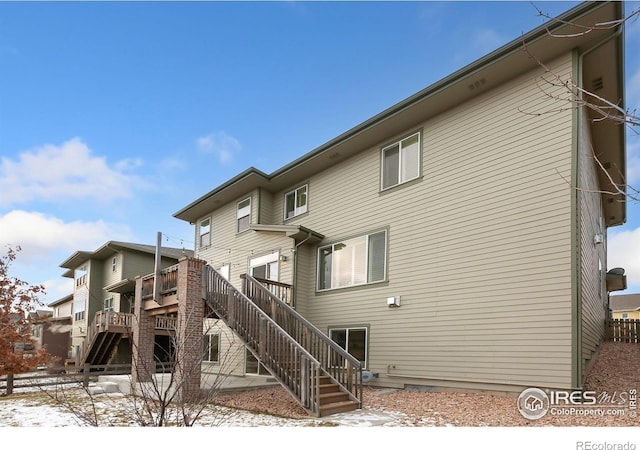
<point>479,248</point>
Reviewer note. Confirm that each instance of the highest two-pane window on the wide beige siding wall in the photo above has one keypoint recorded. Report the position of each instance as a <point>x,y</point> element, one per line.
<point>401,161</point>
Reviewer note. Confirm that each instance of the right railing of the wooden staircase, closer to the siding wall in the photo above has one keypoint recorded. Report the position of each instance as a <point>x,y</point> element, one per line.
<point>336,361</point>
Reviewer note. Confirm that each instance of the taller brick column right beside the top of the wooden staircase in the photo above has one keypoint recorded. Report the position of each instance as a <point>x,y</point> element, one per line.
<point>189,328</point>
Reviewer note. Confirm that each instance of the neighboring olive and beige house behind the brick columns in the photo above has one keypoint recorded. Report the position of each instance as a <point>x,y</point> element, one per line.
<point>104,280</point>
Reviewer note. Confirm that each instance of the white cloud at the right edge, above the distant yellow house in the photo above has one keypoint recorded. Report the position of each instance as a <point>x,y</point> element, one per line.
<point>623,251</point>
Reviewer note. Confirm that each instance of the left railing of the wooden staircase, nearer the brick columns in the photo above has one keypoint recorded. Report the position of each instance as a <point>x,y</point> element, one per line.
<point>288,361</point>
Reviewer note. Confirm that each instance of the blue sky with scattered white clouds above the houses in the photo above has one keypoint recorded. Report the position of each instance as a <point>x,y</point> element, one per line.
<point>115,115</point>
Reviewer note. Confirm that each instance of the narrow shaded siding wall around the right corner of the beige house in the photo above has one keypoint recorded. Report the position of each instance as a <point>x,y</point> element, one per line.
<point>593,309</point>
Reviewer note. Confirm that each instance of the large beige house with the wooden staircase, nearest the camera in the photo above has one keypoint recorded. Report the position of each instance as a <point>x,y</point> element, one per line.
<point>457,239</point>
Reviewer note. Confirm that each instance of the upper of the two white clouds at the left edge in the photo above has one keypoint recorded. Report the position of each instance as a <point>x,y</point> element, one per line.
<point>62,172</point>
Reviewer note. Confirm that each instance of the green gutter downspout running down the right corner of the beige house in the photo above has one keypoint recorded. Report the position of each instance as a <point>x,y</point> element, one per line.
<point>577,363</point>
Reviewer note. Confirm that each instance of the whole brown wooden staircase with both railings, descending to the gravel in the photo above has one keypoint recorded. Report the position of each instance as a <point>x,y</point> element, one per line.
<point>318,373</point>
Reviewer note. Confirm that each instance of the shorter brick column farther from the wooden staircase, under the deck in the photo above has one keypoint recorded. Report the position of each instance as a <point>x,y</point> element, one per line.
<point>142,340</point>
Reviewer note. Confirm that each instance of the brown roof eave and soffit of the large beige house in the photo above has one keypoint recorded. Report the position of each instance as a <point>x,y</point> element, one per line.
<point>605,62</point>
